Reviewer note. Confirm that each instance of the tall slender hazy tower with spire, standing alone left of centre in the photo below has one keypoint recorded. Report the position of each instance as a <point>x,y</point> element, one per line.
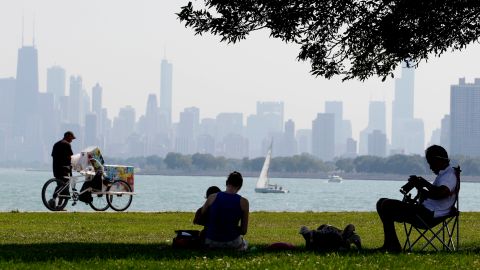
<point>166,92</point>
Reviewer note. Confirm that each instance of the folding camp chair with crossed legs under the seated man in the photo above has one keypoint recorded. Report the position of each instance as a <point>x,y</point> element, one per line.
<point>438,233</point>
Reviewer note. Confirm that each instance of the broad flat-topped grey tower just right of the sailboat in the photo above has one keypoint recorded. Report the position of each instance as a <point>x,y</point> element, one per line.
<point>323,136</point>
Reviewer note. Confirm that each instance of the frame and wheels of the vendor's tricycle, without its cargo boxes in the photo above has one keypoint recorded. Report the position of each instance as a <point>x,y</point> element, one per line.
<point>115,194</point>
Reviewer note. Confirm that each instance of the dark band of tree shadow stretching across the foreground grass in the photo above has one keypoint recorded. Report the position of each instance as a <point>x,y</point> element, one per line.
<point>86,251</point>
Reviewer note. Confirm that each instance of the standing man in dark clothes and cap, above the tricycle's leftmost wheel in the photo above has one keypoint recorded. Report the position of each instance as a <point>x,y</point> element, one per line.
<point>62,154</point>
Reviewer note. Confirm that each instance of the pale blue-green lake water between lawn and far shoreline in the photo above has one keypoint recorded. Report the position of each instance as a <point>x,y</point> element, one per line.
<point>22,191</point>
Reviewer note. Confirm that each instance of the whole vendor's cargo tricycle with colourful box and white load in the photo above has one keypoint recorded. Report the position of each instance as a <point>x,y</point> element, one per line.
<point>109,185</point>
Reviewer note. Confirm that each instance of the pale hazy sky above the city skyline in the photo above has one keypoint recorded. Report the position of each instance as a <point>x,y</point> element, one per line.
<point>120,44</point>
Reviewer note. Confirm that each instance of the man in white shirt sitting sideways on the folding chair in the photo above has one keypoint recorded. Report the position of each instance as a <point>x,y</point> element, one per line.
<point>436,199</point>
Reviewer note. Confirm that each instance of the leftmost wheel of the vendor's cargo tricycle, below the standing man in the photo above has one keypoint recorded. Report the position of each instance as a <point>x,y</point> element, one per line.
<point>54,194</point>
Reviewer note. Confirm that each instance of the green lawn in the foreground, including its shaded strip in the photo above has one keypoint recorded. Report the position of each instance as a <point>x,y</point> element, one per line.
<point>143,240</point>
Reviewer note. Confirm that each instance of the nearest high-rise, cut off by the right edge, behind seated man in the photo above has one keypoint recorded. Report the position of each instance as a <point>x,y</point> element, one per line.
<point>465,118</point>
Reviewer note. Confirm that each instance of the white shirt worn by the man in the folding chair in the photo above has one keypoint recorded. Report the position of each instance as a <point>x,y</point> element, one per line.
<point>442,207</point>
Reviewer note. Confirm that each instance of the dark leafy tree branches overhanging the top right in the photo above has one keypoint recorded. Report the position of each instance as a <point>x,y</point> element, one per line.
<point>351,38</point>
